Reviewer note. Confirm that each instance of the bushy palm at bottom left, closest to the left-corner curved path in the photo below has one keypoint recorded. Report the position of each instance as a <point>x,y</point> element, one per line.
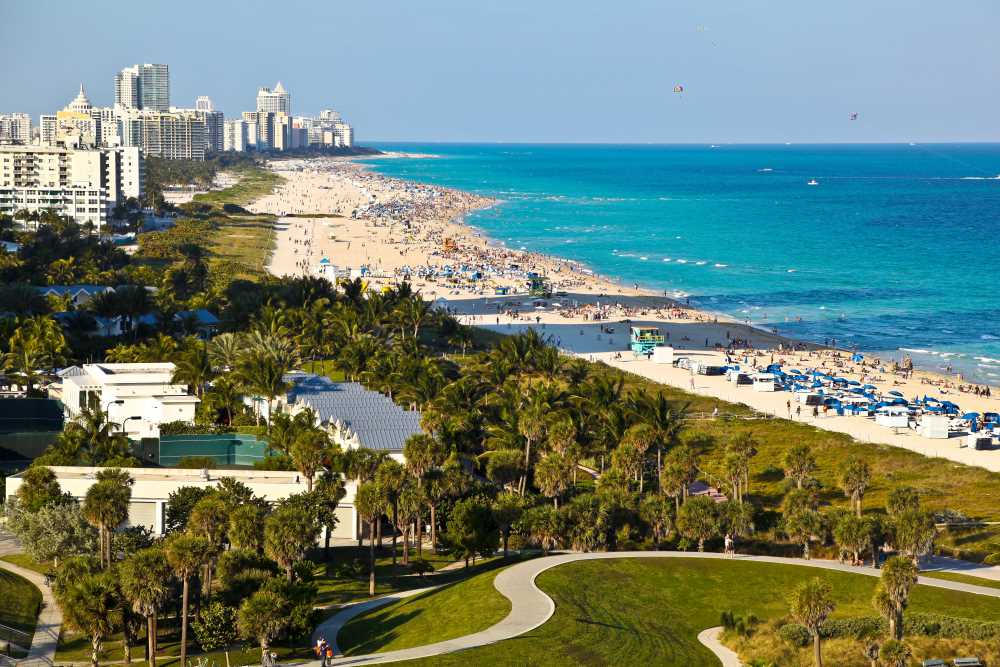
<point>91,605</point>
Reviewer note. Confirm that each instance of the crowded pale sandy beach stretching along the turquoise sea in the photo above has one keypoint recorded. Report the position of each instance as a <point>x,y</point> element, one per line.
<point>339,219</point>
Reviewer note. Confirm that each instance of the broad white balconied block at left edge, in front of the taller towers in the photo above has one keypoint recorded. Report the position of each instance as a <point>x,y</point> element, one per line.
<point>84,184</point>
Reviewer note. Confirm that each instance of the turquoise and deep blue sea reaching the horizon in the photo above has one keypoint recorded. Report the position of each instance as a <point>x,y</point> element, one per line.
<point>896,248</point>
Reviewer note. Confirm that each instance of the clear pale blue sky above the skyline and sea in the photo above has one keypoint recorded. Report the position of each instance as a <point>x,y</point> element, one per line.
<point>539,70</point>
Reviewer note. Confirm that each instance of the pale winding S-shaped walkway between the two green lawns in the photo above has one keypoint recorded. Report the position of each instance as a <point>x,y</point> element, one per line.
<point>531,607</point>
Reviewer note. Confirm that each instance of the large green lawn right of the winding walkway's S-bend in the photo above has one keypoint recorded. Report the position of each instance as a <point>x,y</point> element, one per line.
<point>634,611</point>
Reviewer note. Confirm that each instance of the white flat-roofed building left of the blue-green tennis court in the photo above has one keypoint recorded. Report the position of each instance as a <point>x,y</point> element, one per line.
<point>136,397</point>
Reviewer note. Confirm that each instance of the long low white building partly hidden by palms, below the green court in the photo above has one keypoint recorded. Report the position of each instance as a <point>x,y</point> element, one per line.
<point>152,487</point>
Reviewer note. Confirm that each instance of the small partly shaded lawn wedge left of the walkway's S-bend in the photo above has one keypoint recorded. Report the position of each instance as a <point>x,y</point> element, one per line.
<point>451,611</point>
